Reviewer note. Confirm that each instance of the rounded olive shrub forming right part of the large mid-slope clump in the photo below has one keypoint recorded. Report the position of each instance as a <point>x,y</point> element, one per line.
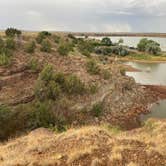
<point>73,85</point>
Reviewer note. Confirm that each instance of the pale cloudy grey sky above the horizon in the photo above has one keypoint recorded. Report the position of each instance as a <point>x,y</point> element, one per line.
<point>84,15</point>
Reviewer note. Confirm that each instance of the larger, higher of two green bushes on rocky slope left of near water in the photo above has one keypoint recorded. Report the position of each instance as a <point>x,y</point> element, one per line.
<point>92,67</point>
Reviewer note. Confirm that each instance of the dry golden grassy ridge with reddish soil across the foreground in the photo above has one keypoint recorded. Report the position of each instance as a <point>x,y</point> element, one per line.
<point>93,146</point>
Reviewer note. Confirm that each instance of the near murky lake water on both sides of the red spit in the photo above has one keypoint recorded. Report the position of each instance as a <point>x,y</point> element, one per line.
<point>153,74</point>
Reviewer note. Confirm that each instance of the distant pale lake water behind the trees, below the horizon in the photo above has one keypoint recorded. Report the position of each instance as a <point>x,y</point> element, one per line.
<point>133,41</point>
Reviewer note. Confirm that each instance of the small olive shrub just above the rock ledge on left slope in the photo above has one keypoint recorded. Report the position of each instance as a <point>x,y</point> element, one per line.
<point>33,65</point>
